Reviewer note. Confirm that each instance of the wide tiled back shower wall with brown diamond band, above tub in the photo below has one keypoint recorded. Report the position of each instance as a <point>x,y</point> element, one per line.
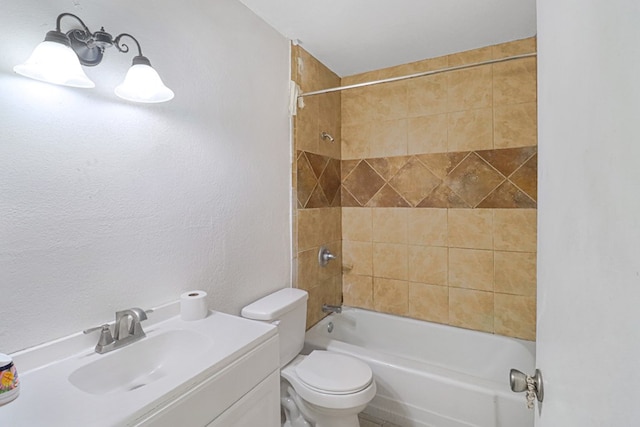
<point>439,192</point>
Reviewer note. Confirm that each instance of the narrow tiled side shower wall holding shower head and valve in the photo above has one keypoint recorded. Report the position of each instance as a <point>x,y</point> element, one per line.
<point>316,169</point>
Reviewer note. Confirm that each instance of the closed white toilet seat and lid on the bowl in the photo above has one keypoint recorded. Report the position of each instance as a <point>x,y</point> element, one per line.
<point>338,398</point>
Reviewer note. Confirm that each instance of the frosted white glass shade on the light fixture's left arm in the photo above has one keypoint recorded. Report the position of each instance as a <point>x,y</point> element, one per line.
<point>53,62</point>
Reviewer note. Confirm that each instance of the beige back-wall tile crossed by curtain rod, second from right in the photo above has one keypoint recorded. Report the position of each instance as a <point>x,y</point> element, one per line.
<point>470,89</point>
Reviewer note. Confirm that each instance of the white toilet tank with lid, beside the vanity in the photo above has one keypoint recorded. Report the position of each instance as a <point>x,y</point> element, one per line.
<point>286,308</point>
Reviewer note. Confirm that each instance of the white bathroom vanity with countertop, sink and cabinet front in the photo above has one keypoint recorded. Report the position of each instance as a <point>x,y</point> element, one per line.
<point>219,371</point>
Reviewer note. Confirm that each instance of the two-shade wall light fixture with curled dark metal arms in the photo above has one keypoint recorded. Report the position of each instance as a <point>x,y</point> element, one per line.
<point>57,60</point>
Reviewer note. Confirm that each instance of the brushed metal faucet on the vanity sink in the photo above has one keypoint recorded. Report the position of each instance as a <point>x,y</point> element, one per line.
<point>126,330</point>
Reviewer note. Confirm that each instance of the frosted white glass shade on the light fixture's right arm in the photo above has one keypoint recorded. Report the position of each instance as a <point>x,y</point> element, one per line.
<point>143,84</point>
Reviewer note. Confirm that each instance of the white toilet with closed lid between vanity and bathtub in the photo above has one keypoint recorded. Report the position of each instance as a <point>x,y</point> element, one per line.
<point>323,389</point>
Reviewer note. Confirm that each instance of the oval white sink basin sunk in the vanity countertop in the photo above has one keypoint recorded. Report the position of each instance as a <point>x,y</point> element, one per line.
<point>140,363</point>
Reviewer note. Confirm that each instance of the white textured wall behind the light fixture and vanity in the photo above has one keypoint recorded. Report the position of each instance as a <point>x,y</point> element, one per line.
<point>106,204</point>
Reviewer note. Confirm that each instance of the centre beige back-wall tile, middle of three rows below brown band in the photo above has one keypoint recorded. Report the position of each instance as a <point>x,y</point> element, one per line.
<point>428,264</point>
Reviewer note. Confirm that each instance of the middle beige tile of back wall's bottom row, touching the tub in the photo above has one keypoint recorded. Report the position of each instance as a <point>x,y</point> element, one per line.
<point>429,302</point>
